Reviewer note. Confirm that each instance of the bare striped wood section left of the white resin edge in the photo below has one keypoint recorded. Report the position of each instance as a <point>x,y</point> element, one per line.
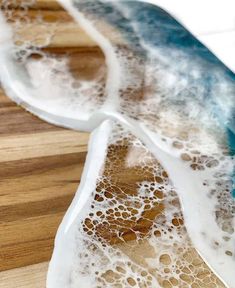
<point>40,169</point>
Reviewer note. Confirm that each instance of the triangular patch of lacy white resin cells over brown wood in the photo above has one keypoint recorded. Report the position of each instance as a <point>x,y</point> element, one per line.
<point>133,234</point>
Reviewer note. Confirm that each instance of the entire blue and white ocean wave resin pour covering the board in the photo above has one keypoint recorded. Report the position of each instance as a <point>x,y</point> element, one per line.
<point>155,207</point>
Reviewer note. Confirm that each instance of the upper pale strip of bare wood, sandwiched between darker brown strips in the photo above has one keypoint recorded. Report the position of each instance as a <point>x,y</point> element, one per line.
<point>64,142</point>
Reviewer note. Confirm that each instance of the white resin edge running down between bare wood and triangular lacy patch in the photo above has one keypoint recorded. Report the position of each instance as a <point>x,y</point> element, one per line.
<point>60,264</point>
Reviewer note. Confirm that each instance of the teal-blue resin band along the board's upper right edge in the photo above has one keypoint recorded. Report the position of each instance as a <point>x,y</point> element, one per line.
<point>157,29</point>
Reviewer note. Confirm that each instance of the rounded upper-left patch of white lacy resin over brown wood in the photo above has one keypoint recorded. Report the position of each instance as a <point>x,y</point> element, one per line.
<point>58,76</point>
